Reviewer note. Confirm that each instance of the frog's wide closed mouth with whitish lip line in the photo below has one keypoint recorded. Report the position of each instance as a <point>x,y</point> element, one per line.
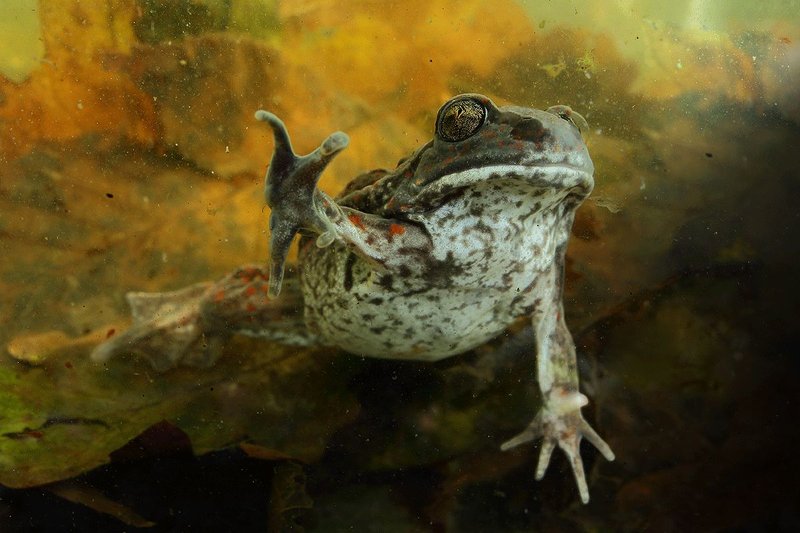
<point>560,179</point>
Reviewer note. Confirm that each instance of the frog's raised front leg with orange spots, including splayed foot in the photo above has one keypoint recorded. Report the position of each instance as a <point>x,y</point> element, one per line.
<point>297,204</point>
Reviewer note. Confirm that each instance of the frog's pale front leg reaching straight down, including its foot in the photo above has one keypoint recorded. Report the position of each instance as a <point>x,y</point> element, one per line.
<point>559,421</point>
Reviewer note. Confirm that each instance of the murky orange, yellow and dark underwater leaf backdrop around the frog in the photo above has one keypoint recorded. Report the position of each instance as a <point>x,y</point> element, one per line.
<point>130,161</point>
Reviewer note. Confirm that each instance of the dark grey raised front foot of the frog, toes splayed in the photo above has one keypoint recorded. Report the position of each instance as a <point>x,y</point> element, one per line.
<point>292,194</point>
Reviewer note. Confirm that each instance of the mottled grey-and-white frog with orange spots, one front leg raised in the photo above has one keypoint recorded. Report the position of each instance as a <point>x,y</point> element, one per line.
<point>424,262</point>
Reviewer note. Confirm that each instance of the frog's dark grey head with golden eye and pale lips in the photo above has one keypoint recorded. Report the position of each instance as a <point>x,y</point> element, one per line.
<point>477,142</point>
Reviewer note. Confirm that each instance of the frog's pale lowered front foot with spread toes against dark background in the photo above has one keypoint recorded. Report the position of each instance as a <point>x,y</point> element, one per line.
<point>560,422</point>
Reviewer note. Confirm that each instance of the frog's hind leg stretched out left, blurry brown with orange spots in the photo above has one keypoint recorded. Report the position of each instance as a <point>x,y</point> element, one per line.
<point>190,326</point>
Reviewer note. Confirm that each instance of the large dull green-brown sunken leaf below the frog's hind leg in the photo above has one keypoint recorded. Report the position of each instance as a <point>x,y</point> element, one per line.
<point>66,416</point>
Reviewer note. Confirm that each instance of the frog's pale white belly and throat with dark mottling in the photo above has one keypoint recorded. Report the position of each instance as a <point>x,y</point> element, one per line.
<point>489,255</point>
